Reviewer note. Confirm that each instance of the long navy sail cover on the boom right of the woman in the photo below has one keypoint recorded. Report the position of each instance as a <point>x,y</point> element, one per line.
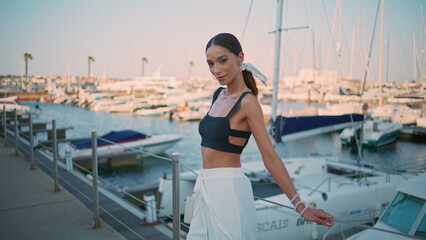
<point>288,125</point>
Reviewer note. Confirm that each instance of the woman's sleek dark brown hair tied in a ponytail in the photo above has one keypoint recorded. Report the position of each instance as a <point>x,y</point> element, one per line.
<point>230,42</point>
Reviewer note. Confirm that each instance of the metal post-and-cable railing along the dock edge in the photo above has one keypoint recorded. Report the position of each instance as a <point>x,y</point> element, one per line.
<point>176,168</point>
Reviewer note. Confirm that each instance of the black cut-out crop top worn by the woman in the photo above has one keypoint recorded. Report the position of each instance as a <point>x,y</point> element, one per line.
<point>215,131</point>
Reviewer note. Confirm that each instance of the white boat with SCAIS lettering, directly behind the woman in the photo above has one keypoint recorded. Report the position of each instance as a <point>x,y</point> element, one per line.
<point>346,190</point>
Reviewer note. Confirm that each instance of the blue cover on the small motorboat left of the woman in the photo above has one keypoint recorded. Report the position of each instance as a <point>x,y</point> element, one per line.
<point>114,136</point>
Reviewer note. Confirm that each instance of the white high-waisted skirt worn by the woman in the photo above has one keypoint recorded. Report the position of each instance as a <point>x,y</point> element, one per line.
<point>224,206</point>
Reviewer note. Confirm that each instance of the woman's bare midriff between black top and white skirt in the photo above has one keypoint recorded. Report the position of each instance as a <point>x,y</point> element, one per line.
<point>219,159</point>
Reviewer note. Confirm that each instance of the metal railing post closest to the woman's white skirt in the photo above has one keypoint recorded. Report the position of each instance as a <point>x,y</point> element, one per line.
<point>176,182</point>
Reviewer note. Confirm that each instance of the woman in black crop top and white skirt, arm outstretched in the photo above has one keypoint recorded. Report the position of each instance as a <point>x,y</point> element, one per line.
<point>224,206</point>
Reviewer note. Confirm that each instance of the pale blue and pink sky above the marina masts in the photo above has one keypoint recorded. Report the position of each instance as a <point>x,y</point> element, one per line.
<point>60,35</point>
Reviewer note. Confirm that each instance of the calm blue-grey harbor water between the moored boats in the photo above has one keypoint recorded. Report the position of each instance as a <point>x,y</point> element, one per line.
<point>402,154</point>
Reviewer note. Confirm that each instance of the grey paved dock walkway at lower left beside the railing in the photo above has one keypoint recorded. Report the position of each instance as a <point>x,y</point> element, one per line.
<point>29,209</point>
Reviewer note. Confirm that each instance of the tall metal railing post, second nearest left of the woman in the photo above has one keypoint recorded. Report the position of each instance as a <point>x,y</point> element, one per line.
<point>96,223</point>
